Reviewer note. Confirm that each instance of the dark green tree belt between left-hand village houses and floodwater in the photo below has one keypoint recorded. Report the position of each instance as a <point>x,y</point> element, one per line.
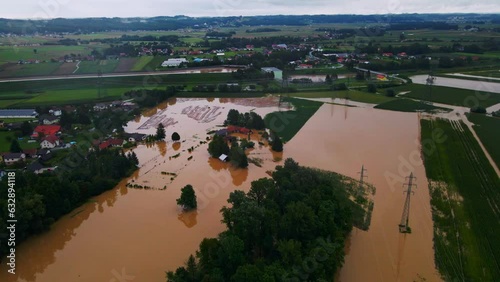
<point>42,199</point>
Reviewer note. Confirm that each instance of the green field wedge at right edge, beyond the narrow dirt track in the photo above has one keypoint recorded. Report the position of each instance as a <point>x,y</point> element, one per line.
<point>488,130</point>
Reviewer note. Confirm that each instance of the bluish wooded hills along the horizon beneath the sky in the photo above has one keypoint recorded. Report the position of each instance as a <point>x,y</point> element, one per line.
<point>86,25</point>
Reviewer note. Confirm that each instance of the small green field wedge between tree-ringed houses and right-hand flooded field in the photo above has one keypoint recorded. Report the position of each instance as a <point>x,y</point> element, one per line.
<point>286,124</point>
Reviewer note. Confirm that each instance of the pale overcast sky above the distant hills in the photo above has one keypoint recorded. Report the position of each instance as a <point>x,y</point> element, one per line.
<point>149,8</point>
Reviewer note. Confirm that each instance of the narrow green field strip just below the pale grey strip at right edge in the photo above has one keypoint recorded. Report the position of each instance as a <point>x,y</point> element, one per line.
<point>450,96</point>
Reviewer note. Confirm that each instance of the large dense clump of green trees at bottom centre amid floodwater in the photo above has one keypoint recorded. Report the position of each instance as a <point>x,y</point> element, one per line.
<point>288,228</point>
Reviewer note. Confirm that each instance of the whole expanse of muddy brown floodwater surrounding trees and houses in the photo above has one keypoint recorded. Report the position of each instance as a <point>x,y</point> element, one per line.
<point>142,233</point>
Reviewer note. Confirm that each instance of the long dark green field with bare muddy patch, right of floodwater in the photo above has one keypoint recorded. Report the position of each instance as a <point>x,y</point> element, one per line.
<point>465,192</point>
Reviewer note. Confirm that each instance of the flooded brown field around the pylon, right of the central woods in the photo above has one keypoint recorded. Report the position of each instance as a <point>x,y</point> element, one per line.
<point>387,144</point>
